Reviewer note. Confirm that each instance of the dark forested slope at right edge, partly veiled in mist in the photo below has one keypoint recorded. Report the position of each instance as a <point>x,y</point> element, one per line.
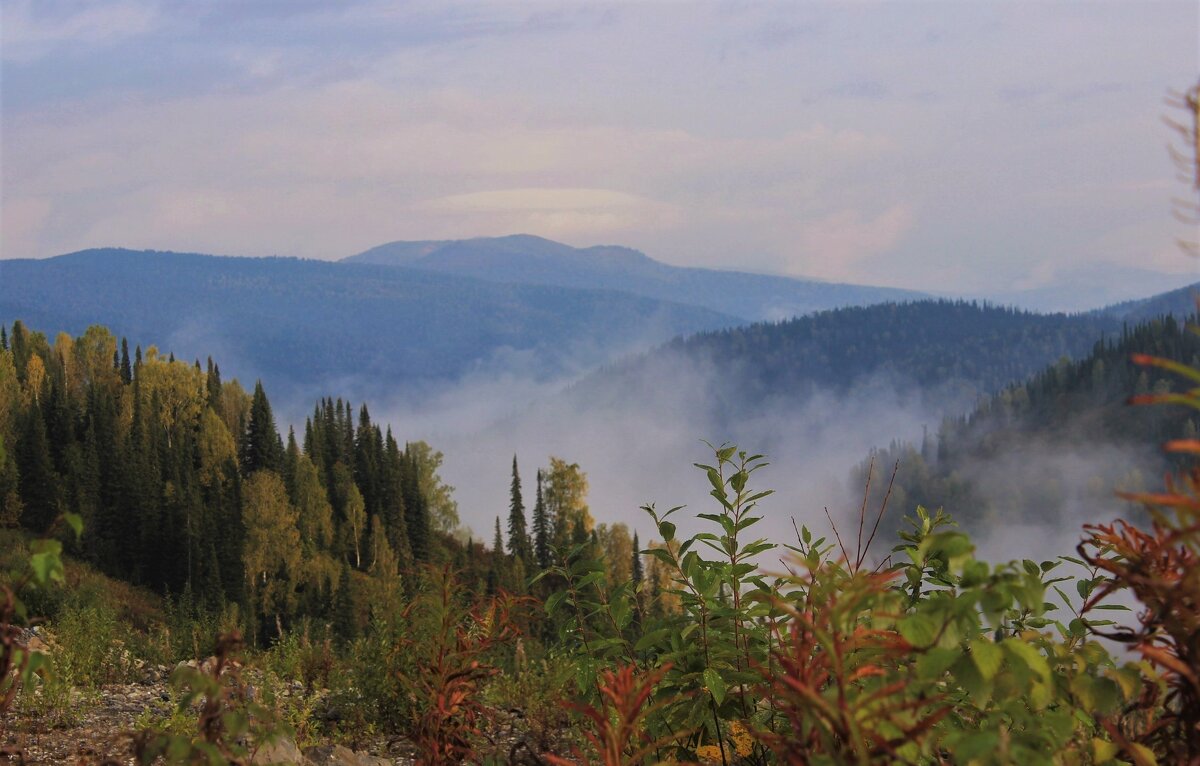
<point>1017,441</point>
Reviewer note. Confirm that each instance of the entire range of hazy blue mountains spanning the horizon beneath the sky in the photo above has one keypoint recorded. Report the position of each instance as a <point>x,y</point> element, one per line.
<point>410,315</point>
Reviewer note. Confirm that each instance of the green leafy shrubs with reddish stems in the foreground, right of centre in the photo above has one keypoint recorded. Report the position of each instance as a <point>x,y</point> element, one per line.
<point>939,656</point>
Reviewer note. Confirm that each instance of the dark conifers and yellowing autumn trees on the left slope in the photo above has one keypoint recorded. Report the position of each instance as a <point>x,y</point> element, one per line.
<point>187,487</point>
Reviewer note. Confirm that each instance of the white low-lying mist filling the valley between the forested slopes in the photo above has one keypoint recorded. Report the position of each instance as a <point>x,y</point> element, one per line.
<point>638,440</point>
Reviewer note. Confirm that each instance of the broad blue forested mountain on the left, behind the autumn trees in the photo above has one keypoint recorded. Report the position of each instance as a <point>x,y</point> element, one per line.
<point>317,325</point>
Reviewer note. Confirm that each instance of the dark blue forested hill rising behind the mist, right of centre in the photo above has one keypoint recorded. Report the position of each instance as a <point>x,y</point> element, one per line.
<point>951,352</point>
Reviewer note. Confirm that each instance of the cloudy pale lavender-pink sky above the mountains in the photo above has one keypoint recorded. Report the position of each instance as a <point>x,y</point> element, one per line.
<point>950,146</point>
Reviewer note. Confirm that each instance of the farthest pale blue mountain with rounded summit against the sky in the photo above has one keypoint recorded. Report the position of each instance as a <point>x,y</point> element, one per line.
<point>536,261</point>
